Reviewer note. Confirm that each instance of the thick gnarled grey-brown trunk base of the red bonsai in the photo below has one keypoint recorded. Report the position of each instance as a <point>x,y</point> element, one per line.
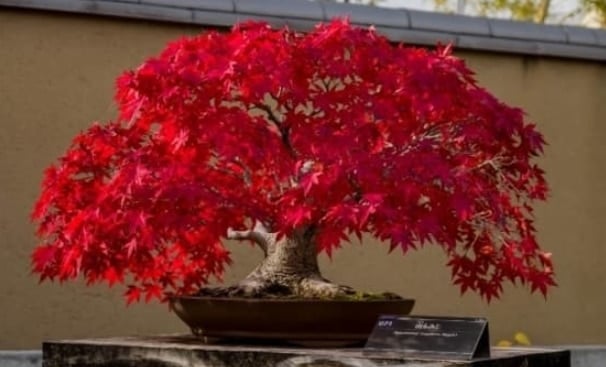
<point>290,266</point>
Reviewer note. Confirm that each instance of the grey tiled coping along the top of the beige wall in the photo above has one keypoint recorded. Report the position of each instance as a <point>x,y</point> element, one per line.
<point>399,25</point>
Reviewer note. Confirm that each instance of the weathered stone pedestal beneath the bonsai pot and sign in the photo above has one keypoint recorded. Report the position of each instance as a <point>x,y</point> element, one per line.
<point>186,351</point>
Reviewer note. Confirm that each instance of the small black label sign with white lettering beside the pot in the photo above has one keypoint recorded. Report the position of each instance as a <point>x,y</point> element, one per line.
<point>431,337</point>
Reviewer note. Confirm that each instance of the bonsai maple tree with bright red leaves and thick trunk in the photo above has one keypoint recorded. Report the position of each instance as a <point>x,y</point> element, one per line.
<point>296,142</point>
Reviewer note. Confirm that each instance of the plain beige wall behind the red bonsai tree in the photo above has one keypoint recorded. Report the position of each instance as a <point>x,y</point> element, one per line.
<point>56,76</point>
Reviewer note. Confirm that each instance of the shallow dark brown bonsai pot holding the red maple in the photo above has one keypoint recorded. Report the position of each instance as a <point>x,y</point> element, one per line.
<point>308,322</point>
